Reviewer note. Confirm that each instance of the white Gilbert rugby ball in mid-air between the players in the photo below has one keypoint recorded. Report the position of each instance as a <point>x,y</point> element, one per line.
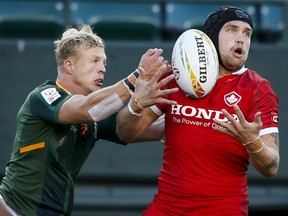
<point>195,63</point>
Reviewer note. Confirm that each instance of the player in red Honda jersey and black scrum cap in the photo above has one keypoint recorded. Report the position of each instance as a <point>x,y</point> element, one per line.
<point>209,142</point>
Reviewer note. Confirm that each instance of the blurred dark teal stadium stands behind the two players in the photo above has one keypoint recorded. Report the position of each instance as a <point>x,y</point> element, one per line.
<point>117,180</point>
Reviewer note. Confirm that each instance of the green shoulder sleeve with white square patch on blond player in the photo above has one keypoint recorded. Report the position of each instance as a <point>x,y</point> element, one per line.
<point>46,101</point>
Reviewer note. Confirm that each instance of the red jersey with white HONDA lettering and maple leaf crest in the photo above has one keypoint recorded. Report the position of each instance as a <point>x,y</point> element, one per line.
<point>200,161</point>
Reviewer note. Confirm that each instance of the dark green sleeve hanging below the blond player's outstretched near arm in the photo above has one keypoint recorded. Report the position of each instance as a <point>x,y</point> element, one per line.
<point>107,130</point>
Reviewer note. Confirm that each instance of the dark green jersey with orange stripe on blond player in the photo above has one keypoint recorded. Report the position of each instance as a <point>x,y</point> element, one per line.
<point>47,155</point>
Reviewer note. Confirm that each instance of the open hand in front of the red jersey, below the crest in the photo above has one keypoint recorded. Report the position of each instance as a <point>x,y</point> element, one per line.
<point>240,128</point>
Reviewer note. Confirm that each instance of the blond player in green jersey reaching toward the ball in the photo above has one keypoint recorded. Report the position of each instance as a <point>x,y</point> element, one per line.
<point>60,121</point>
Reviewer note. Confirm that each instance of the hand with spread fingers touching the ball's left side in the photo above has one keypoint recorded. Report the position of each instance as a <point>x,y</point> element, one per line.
<point>149,92</point>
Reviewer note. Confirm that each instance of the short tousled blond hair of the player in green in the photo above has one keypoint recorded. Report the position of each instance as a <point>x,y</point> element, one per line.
<point>73,39</point>
